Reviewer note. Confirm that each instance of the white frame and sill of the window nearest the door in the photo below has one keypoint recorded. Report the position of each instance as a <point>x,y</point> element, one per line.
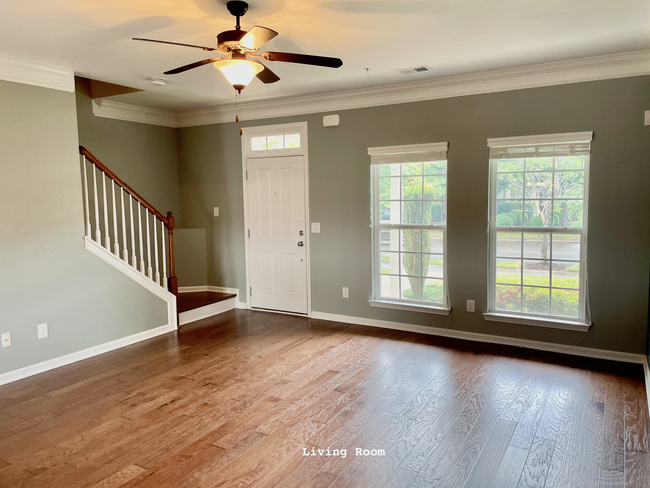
<point>395,153</point>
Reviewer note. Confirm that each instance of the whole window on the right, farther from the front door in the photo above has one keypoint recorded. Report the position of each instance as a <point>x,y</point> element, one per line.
<point>538,233</point>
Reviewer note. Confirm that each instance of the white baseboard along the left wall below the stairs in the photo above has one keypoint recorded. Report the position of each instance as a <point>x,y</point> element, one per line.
<point>50,364</point>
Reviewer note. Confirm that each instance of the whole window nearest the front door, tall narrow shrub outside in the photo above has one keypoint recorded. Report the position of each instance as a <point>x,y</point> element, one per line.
<point>409,214</point>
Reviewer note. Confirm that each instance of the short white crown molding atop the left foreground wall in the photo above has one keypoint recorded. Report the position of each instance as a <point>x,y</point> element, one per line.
<point>36,74</point>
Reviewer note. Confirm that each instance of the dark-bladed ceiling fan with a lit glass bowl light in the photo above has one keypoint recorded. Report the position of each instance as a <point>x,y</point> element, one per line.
<point>238,45</point>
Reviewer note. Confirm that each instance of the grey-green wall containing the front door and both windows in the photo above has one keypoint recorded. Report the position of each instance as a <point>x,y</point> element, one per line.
<point>619,211</point>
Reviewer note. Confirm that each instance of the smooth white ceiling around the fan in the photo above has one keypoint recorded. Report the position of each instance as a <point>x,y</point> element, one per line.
<point>93,37</point>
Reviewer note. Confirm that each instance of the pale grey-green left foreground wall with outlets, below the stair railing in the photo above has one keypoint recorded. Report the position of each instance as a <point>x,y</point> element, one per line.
<point>46,275</point>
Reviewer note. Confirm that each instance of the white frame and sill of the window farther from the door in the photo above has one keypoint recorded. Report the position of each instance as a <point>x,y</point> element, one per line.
<point>583,322</point>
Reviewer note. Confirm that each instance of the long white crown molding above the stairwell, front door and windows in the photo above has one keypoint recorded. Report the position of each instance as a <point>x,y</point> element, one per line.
<point>532,76</point>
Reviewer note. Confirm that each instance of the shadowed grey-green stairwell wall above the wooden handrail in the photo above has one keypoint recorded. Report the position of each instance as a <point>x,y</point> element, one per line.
<point>145,156</point>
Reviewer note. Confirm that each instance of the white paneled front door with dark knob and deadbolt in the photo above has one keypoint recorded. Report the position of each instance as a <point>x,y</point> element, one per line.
<point>277,243</point>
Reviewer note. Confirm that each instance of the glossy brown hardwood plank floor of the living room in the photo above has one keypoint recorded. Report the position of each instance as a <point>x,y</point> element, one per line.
<point>236,400</point>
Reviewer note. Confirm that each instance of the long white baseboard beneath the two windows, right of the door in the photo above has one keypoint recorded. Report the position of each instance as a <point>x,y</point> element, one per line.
<point>492,339</point>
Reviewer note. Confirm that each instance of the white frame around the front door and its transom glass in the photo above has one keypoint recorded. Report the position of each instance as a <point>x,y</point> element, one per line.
<point>266,130</point>
